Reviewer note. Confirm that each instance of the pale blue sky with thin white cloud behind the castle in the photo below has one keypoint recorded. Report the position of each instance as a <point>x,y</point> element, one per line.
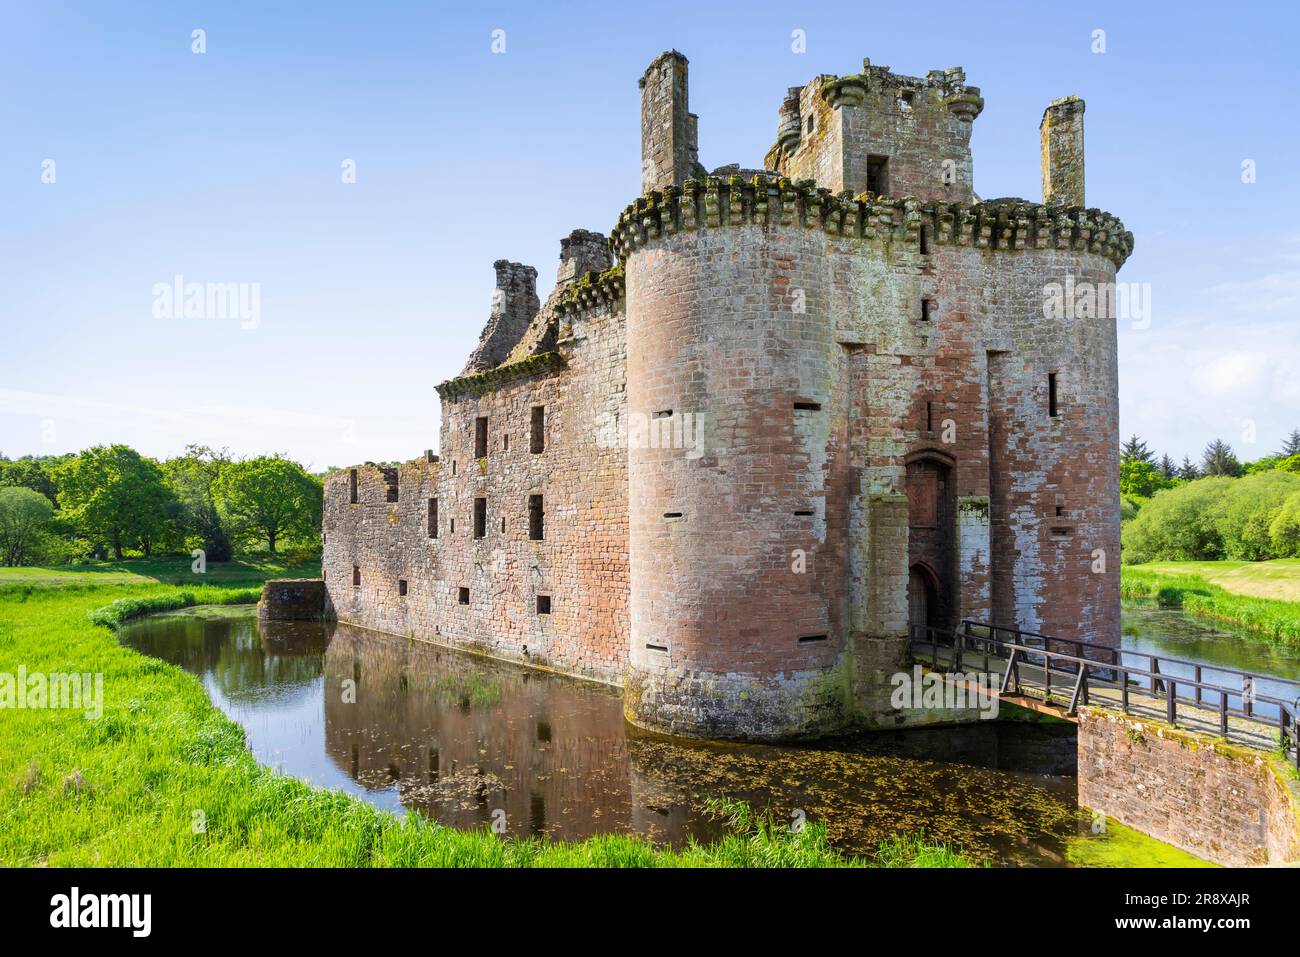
<point>226,167</point>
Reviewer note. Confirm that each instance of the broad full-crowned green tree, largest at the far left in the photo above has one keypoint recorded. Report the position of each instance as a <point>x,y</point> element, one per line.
<point>115,496</point>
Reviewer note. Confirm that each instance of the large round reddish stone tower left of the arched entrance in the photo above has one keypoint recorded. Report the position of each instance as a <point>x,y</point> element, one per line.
<point>735,434</point>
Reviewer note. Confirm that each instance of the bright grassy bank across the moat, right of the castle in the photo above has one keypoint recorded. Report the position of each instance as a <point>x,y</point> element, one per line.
<point>1272,620</point>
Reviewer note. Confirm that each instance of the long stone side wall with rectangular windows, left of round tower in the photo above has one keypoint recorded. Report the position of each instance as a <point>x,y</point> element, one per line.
<point>582,562</point>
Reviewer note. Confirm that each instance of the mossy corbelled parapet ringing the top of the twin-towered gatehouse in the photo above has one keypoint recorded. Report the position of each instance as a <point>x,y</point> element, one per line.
<point>1002,224</point>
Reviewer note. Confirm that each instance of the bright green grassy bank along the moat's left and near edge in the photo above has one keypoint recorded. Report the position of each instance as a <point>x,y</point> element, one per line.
<point>164,780</point>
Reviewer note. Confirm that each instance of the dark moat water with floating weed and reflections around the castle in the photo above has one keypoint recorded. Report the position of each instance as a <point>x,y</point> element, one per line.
<point>460,739</point>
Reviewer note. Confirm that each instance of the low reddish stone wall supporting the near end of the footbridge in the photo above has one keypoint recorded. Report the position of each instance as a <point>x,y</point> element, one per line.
<point>1230,806</point>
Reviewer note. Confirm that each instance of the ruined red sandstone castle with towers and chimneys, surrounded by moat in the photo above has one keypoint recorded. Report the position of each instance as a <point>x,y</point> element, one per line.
<point>775,421</point>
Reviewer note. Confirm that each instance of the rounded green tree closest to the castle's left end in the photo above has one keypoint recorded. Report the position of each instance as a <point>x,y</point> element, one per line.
<point>267,500</point>
